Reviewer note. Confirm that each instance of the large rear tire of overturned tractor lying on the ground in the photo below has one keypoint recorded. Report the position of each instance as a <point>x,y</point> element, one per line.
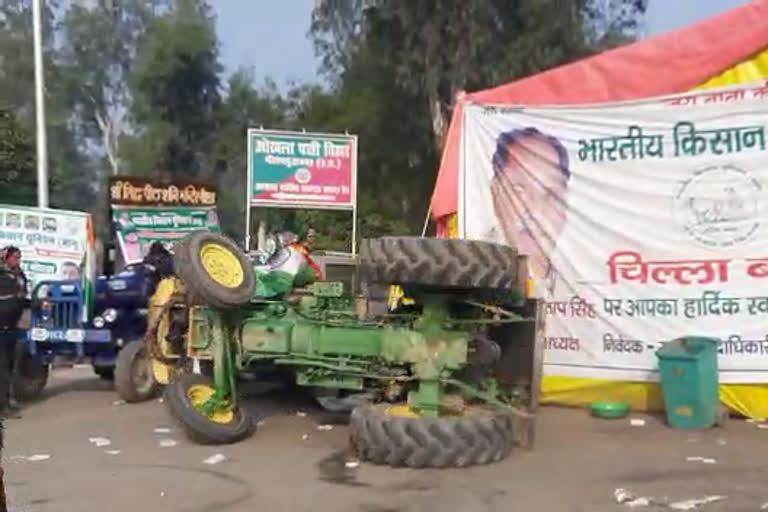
<point>382,436</point>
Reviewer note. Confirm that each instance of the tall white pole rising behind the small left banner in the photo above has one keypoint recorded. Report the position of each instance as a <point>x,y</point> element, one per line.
<point>42,150</point>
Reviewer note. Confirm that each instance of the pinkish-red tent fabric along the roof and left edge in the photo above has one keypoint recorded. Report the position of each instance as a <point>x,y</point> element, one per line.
<point>666,64</point>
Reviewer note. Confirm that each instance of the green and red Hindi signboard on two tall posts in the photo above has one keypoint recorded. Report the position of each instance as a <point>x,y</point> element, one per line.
<point>301,170</point>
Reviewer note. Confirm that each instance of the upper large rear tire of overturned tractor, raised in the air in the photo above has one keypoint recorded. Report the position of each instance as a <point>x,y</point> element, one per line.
<point>444,263</point>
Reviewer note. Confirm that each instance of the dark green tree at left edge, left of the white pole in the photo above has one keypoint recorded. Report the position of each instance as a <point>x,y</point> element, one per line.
<point>18,184</point>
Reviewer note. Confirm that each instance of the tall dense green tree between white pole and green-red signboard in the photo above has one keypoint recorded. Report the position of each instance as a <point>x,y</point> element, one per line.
<point>175,92</point>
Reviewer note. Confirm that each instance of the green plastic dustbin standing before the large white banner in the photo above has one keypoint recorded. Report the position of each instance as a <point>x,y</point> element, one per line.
<point>689,381</point>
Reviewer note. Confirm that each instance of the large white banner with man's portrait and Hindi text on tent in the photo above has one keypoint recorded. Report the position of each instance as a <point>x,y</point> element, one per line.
<point>645,222</point>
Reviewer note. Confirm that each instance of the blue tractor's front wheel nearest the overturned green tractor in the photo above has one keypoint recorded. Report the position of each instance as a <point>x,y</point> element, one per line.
<point>134,379</point>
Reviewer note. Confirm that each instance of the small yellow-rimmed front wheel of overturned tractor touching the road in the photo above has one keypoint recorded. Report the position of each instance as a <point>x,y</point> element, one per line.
<point>184,397</point>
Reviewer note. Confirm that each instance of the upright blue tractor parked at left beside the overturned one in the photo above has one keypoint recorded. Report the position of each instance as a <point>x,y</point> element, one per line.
<point>110,337</point>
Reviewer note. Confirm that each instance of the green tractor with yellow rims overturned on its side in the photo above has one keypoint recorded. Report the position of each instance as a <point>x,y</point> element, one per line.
<point>418,381</point>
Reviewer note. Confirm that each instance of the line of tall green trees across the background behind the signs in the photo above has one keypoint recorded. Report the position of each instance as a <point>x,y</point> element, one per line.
<point>136,87</point>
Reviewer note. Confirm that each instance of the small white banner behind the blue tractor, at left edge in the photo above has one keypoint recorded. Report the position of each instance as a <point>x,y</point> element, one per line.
<point>53,243</point>
